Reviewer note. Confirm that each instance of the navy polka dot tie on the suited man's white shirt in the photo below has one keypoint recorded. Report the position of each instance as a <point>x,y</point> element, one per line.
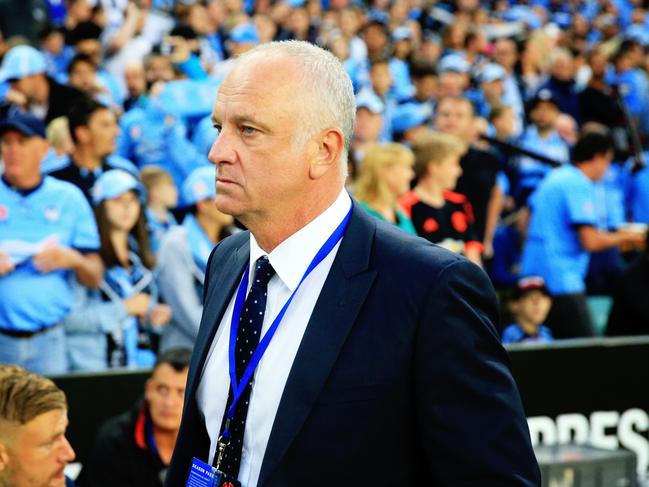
<point>250,322</point>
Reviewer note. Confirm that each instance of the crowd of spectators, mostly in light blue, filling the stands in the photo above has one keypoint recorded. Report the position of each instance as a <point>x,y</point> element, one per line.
<point>468,114</point>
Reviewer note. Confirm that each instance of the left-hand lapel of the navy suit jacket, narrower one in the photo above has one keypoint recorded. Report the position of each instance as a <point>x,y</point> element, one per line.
<point>223,281</point>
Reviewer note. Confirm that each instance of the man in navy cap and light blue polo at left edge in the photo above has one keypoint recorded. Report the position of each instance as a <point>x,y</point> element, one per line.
<point>47,233</point>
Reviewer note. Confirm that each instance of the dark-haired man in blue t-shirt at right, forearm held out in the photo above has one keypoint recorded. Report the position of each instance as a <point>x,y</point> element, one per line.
<point>563,232</point>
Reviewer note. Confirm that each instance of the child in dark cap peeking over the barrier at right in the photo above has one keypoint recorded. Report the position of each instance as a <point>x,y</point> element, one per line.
<point>530,306</point>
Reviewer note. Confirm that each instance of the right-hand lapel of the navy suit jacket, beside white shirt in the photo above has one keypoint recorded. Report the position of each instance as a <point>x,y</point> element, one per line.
<point>340,300</point>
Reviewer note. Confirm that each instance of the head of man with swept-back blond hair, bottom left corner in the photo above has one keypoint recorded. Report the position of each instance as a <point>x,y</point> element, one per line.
<point>33,420</point>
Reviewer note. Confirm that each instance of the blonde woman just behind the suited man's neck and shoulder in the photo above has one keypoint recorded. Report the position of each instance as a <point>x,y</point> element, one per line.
<point>385,174</point>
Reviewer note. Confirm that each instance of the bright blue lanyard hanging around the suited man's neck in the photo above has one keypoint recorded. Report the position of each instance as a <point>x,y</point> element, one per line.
<point>239,387</point>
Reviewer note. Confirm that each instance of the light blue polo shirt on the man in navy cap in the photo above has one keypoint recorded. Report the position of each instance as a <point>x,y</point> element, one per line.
<point>56,213</point>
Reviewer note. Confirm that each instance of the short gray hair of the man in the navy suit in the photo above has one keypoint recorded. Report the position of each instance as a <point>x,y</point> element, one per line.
<point>327,86</point>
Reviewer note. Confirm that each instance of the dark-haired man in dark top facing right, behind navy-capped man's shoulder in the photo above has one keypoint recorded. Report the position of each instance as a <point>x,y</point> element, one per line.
<point>94,130</point>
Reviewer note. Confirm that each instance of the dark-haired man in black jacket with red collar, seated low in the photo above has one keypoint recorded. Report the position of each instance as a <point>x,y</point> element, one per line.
<point>134,449</point>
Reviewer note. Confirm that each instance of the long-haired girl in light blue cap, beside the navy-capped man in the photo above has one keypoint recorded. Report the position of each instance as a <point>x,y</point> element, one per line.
<point>117,324</point>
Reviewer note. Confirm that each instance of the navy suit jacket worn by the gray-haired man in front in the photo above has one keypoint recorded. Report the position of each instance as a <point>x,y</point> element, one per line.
<point>400,378</point>
